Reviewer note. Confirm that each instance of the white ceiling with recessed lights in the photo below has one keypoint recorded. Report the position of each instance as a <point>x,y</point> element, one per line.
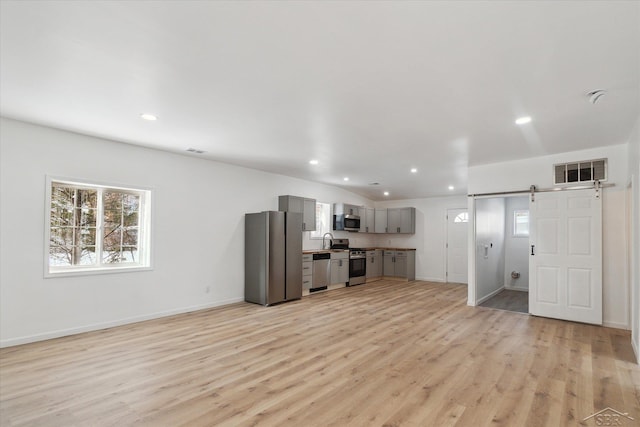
<point>370,89</point>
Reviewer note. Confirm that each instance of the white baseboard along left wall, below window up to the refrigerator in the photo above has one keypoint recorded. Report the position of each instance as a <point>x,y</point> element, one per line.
<point>105,325</point>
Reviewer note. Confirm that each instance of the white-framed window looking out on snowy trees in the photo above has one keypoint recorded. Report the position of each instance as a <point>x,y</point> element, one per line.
<point>93,228</point>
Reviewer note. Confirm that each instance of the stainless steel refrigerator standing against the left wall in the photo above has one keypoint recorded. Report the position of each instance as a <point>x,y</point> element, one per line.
<point>273,257</point>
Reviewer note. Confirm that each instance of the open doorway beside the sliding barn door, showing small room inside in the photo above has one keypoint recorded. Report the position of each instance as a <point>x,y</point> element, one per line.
<point>502,257</point>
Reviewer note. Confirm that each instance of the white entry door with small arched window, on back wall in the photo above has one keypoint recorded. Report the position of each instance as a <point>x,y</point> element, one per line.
<point>457,260</point>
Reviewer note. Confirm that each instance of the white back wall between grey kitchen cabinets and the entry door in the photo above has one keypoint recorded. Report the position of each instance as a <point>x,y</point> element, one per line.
<point>431,233</point>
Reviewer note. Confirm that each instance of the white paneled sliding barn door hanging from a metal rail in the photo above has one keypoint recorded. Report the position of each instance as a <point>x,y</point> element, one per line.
<point>565,262</point>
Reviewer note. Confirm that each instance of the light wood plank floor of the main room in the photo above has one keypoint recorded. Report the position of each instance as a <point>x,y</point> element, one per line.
<point>381,354</point>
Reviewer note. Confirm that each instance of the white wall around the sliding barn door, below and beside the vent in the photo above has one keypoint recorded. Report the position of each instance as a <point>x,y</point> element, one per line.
<point>520,174</point>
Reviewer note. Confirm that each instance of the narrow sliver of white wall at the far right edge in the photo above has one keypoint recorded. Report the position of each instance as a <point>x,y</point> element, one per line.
<point>634,234</point>
